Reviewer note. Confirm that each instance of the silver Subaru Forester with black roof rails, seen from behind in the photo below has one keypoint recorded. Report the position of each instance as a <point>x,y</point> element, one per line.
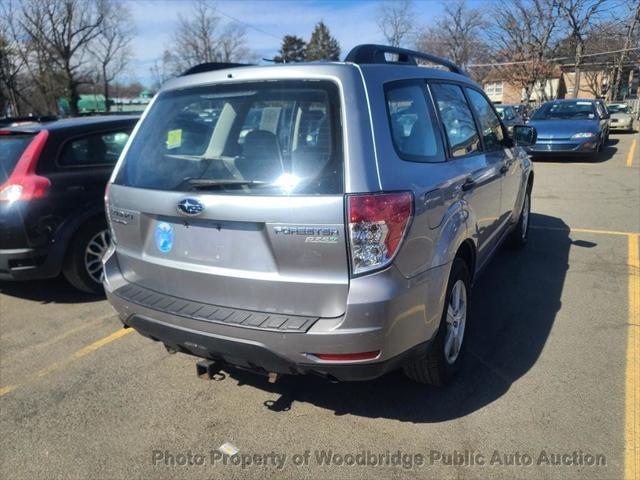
<point>346,253</point>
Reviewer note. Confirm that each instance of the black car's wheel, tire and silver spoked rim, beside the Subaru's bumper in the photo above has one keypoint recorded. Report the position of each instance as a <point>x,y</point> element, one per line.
<point>83,262</point>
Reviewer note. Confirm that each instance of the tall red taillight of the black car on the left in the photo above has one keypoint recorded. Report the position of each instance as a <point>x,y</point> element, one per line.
<point>23,184</point>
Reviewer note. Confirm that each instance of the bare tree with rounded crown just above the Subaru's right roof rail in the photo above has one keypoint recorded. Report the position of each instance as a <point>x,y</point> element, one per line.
<point>456,34</point>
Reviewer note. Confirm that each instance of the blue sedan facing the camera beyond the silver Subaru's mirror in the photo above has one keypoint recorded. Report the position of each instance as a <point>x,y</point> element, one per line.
<point>569,127</point>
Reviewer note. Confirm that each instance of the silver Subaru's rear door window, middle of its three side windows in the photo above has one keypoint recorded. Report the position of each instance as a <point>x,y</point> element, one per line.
<point>457,119</point>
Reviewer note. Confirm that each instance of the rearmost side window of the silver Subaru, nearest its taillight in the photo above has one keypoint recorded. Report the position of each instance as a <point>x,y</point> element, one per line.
<point>412,122</point>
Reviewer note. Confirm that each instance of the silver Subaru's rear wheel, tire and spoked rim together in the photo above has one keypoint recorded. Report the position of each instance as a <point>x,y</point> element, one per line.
<point>439,365</point>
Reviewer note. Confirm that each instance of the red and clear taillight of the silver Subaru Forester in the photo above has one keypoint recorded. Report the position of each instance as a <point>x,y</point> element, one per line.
<point>377,225</point>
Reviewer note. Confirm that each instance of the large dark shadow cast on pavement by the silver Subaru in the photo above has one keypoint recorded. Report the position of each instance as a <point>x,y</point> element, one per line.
<point>514,305</point>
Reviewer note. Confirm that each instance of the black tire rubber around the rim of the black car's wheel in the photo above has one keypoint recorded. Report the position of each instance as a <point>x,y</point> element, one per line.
<point>74,268</point>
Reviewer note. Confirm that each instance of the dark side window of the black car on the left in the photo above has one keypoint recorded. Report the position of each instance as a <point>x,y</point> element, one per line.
<point>94,150</point>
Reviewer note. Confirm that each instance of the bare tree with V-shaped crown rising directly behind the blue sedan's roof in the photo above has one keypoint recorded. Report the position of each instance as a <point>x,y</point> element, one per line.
<point>579,15</point>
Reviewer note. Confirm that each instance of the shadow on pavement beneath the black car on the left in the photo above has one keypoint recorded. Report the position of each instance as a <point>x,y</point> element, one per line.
<point>55,290</point>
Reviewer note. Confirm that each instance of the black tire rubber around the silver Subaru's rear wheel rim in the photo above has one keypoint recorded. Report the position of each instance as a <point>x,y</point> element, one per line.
<point>432,367</point>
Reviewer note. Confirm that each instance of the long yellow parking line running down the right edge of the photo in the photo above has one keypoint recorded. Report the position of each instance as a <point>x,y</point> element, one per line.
<point>632,371</point>
